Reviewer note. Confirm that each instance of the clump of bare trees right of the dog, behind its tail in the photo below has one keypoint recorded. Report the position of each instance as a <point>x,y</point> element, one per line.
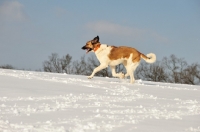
<point>172,70</point>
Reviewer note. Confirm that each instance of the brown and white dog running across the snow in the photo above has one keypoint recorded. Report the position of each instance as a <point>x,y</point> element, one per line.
<point>112,56</point>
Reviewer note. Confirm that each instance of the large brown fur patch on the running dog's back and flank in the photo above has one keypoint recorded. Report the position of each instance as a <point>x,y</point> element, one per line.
<point>124,52</point>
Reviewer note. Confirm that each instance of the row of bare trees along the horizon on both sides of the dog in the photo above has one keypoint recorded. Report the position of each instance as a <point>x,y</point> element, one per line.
<point>170,69</point>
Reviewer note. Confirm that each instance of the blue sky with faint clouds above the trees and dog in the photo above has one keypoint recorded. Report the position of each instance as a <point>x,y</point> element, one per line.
<point>31,30</point>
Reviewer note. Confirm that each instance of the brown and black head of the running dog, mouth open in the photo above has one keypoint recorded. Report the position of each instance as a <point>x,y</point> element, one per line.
<point>90,45</point>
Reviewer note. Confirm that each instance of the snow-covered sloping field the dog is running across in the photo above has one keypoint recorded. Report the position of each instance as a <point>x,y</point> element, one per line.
<point>47,102</point>
